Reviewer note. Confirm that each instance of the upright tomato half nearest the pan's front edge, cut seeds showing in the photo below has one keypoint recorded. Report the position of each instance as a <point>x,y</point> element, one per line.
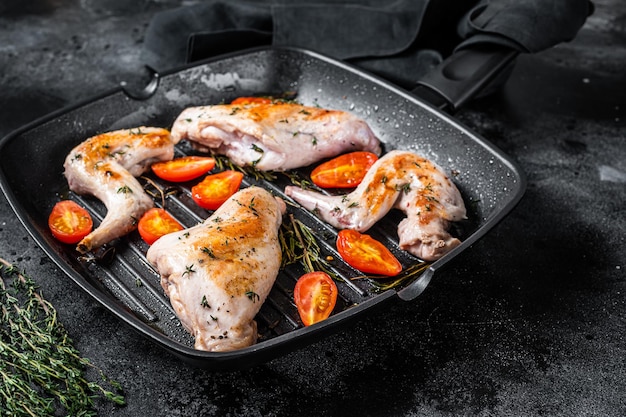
<point>315,295</point>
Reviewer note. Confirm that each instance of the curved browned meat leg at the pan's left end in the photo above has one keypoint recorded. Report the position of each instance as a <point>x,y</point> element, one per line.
<point>105,166</point>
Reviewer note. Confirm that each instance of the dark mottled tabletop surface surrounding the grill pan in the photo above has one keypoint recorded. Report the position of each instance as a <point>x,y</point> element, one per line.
<point>530,321</point>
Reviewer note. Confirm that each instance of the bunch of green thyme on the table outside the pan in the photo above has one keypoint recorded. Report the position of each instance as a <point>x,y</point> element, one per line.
<point>41,372</point>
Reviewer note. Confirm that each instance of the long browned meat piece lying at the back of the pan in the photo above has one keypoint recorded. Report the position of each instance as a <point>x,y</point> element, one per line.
<point>274,137</point>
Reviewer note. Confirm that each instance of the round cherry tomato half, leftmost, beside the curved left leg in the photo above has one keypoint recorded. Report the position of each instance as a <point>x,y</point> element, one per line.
<point>69,222</point>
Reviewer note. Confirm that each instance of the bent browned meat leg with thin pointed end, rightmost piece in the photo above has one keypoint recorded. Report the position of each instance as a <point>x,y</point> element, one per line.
<point>402,180</point>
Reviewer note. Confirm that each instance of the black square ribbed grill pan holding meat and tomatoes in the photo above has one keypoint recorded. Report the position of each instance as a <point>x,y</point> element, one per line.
<point>31,176</point>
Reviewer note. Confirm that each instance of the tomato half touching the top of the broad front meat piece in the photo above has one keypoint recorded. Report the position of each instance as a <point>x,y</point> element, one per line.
<point>212,191</point>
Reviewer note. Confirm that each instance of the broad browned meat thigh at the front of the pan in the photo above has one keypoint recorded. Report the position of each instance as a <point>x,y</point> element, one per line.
<point>218,274</point>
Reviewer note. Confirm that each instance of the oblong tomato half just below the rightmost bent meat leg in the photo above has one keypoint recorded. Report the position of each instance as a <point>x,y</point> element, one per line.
<point>367,254</point>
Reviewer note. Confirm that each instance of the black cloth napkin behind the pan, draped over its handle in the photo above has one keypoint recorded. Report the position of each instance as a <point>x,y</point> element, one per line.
<point>399,40</point>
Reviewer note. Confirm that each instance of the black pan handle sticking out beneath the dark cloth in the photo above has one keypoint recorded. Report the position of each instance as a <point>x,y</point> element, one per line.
<point>465,74</point>
